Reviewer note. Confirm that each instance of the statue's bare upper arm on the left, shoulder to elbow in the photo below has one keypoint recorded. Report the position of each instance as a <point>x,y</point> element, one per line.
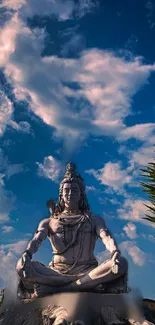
<point>39,236</point>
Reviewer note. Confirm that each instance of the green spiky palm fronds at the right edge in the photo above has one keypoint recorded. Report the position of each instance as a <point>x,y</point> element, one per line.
<point>149,188</point>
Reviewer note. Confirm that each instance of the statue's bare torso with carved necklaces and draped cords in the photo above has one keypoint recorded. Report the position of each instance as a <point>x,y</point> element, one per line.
<point>61,236</point>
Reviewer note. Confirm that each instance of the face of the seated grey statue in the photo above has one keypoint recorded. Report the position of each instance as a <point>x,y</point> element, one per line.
<point>71,194</point>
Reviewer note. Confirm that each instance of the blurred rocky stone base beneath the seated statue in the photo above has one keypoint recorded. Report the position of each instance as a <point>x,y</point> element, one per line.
<point>67,308</point>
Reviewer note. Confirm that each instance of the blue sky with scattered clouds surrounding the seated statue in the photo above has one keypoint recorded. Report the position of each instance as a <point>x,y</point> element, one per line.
<point>77,83</point>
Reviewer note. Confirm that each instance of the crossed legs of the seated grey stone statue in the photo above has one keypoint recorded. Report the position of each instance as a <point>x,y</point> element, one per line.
<point>48,280</point>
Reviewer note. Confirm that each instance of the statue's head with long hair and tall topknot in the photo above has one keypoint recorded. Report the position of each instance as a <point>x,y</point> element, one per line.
<point>72,191</point>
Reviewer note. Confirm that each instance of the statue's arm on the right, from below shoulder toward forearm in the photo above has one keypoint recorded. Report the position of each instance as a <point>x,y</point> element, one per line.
<point>104,233</point>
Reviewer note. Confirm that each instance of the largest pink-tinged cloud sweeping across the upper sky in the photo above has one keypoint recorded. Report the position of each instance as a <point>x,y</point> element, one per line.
<point>106,83</point>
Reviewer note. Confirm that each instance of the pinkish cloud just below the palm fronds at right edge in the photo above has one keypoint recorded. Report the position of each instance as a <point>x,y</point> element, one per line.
<point>134,210</point>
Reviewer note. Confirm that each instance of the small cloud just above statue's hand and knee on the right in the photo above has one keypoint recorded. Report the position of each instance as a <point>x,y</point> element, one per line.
<point>137,255</point>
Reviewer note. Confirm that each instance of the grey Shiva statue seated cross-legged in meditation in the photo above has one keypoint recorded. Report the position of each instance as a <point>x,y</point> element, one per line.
<point>72,230</point>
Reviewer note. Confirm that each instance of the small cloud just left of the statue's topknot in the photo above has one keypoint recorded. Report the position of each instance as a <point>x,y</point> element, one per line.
<point>51,168</point>
